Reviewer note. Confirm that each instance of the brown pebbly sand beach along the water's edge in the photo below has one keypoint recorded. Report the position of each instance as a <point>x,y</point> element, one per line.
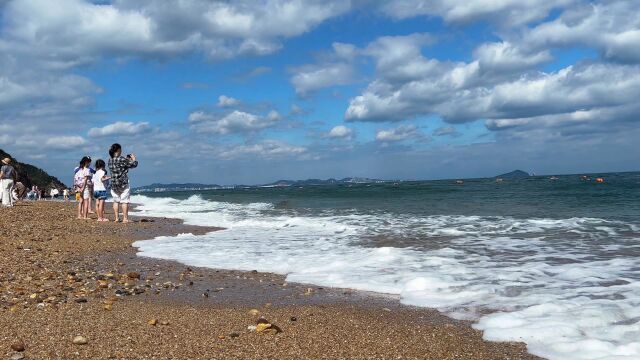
<point>61,278</point>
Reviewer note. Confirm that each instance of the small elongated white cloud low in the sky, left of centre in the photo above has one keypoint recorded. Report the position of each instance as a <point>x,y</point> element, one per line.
<point>234,122</point>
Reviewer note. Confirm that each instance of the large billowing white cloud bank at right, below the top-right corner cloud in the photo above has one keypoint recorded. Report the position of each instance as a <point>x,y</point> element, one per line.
<point>495,85</point>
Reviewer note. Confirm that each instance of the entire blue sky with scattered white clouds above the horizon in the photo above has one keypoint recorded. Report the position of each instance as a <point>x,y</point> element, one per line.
<point>249,92</point>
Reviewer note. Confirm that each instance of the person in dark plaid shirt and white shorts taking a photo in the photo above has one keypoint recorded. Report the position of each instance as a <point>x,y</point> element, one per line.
<point>119,167</point>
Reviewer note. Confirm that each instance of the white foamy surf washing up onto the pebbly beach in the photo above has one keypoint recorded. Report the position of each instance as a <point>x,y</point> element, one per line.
<point>568,288</point>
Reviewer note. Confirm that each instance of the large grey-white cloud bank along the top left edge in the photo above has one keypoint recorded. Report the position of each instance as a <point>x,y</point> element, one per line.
<point>80,31</point>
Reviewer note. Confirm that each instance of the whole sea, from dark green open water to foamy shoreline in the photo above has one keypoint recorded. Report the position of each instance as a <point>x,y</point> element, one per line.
<point>555,264</point>
